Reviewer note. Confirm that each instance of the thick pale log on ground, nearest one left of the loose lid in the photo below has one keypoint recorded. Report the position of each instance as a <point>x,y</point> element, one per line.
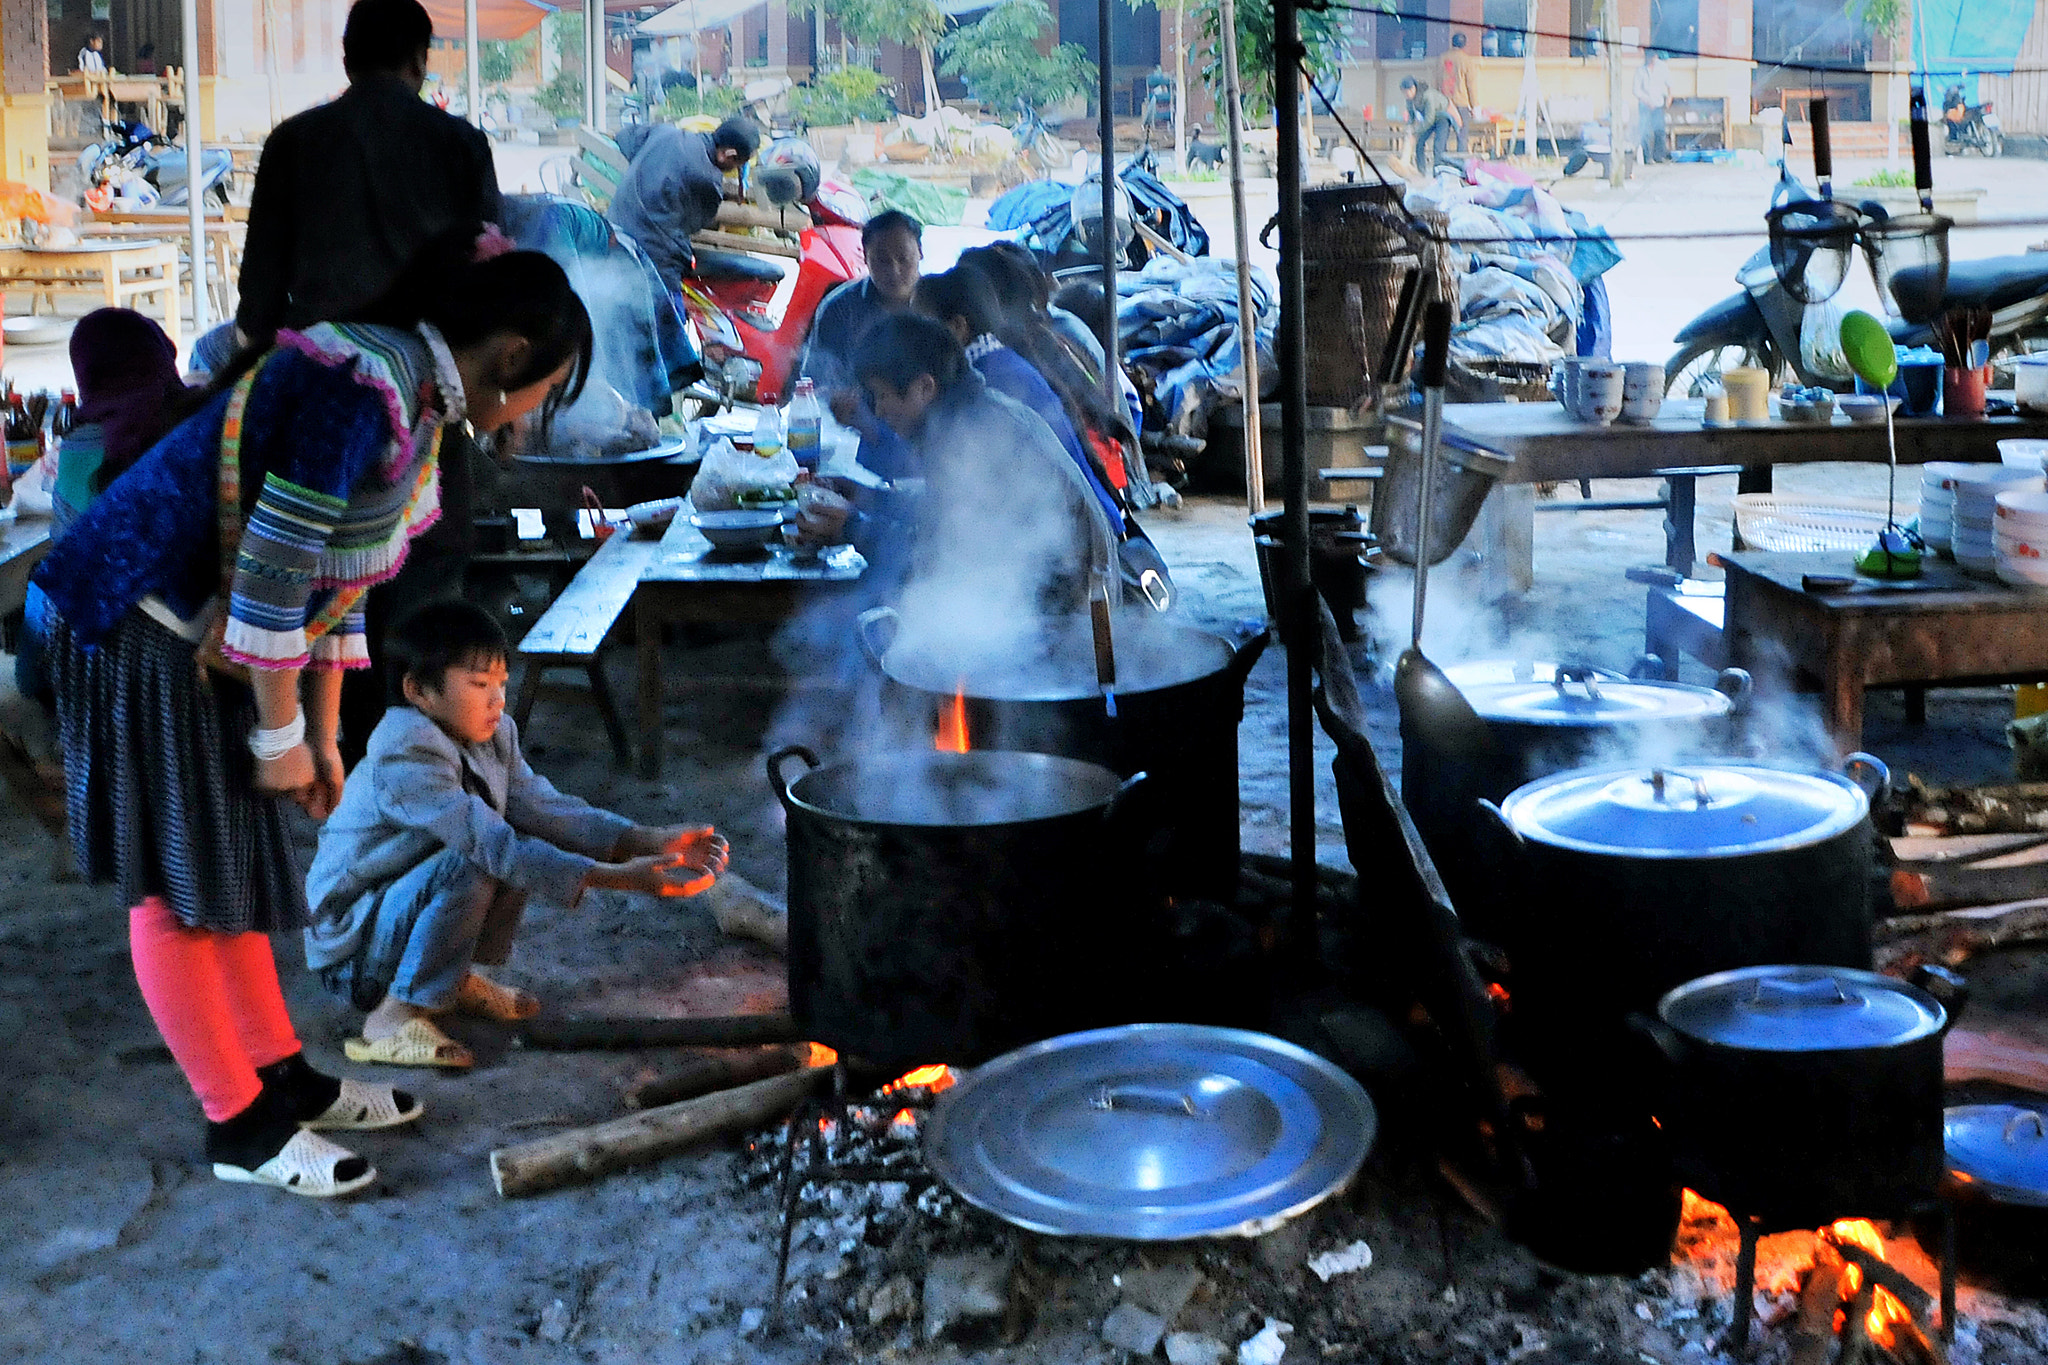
<point>589,1153</point>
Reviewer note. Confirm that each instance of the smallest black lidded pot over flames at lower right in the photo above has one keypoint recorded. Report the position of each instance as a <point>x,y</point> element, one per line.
<point>1805,1094</point>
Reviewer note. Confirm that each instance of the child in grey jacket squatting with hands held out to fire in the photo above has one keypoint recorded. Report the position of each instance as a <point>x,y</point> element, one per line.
<point>443,834</point>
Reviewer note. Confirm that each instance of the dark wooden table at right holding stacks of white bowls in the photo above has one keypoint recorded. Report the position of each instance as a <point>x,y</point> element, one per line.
<point>1943,629</point>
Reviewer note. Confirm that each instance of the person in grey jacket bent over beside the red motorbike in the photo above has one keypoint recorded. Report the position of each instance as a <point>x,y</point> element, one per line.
<point>675,185</point>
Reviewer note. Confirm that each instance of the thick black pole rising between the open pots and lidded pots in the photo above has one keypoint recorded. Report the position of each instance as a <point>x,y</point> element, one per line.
<point>1297,599</point>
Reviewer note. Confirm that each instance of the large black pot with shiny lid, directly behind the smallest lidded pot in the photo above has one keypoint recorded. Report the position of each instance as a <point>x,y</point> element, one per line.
<point>1631,881</point>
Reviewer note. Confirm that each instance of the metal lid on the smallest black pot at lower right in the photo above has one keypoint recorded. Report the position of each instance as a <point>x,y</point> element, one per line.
<point>1801,1010</point>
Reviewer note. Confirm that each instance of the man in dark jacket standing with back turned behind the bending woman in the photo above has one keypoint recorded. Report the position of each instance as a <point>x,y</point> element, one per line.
<point>347,197</point>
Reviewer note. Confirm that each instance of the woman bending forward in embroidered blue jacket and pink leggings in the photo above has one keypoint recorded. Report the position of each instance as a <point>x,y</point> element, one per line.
<point>245,541</point>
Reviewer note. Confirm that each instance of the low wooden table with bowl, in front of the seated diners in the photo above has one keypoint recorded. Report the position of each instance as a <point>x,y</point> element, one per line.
<point>693,584</point>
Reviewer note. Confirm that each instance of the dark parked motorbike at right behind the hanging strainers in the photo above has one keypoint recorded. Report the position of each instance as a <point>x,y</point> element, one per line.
<point>1764,326</point>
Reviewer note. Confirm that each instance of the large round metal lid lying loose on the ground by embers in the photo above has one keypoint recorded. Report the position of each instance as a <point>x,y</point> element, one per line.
<point>1152,1133</point>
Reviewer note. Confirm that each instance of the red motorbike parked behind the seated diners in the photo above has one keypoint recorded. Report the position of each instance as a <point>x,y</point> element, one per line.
<point>751,355</point>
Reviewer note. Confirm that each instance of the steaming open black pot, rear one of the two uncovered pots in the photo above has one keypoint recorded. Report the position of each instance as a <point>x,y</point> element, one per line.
<point>1181,695</point>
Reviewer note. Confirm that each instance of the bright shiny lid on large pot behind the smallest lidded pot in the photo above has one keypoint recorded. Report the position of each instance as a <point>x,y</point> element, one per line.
<point>1687,811</point>
